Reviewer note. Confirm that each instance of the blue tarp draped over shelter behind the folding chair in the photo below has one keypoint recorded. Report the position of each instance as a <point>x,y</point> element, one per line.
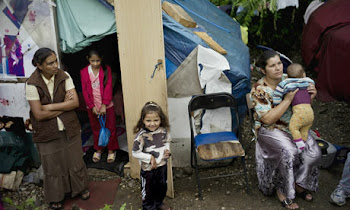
<point>179,41</point>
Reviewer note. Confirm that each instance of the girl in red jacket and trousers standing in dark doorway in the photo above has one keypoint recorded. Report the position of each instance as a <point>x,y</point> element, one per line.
<point>96,81</point>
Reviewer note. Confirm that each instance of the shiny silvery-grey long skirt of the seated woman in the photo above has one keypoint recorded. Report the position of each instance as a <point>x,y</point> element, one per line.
<point>279,166</point>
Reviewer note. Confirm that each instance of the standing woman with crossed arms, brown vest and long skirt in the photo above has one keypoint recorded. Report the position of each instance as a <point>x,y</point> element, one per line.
<point>56,130</point>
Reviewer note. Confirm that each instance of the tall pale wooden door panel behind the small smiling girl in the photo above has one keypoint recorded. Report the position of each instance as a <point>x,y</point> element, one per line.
<point>141,47</point>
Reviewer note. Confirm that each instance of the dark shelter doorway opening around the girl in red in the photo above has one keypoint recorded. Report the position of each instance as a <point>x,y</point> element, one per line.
<point>74,62</point>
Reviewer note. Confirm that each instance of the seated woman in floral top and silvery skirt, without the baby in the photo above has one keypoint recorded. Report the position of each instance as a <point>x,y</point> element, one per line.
<point>280,167</point>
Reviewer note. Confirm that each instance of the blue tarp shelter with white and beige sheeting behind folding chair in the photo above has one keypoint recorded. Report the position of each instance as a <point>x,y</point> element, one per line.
<point>185,67</point>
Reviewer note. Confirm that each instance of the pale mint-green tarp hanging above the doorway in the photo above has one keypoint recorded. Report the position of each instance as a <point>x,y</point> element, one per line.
<point>81,22</point>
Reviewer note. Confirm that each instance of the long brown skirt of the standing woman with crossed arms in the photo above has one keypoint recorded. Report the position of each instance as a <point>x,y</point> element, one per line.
<point>64,167</point>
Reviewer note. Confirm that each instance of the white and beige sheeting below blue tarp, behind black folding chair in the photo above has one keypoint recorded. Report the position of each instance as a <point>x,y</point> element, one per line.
<point>209,77</point>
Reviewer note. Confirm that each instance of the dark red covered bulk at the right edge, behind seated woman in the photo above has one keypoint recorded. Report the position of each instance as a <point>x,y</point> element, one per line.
<point>326,49</point>
